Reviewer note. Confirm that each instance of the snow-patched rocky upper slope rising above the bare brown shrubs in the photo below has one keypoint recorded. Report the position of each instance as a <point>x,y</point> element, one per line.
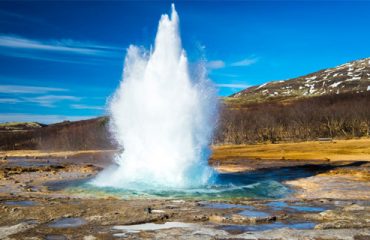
<point>350,77</point>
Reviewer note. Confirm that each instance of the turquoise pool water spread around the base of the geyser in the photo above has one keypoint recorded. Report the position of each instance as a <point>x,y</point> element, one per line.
<point>259,184</point>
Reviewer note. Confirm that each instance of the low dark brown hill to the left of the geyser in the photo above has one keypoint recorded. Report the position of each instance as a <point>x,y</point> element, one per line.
<point>77,135</point>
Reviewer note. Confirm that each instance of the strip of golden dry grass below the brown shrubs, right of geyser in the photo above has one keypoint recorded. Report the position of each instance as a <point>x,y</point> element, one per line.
<point>354,150</point>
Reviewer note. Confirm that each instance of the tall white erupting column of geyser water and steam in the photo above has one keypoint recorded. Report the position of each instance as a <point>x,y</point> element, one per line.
<point>163,117</point>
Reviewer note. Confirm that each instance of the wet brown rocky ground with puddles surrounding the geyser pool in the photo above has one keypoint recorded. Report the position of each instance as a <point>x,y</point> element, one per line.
<point>332,203</point>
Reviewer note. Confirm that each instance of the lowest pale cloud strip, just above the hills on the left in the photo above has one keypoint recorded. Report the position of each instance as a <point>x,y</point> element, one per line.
<point>24,117</point>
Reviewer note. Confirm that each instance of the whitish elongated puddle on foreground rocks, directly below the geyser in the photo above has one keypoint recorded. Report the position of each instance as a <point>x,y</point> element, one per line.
<point>152,226</point>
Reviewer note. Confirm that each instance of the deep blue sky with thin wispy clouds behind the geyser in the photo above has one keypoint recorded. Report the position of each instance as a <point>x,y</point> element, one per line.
<point>62,60</point>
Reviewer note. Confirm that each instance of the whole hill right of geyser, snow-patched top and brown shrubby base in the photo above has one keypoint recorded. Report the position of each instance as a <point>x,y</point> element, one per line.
<point>331,103</point>
